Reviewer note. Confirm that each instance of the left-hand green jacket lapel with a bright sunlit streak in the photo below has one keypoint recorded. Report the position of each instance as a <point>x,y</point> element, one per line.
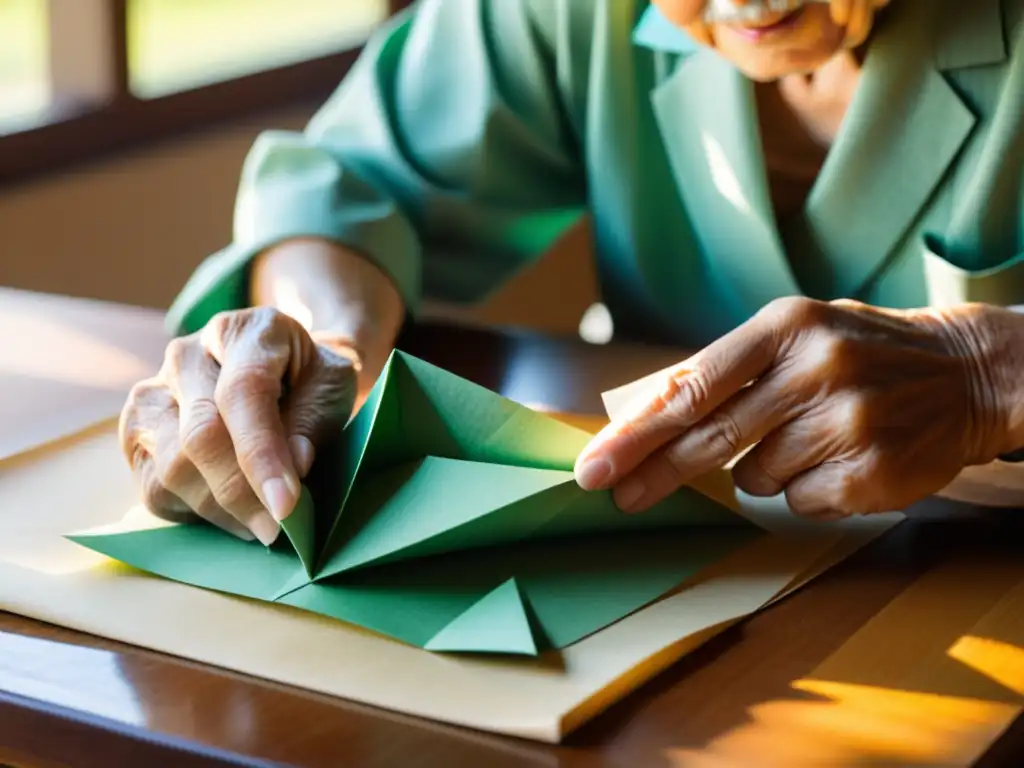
<point>707,117</point>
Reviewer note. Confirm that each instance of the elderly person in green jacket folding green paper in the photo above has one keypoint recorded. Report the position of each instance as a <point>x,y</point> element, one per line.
<point>828,201</point>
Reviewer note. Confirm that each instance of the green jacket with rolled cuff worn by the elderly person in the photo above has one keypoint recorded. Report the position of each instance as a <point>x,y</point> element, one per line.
<point>473,134</point>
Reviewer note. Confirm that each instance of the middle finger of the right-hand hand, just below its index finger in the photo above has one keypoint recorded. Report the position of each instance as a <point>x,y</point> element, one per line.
<point>712,444</point>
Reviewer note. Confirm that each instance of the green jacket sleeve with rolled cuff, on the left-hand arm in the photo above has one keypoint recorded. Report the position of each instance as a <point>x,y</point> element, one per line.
<point>445,158</point>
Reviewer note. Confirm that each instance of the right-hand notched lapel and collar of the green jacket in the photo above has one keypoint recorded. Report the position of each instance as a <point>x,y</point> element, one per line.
<point>905,130</point>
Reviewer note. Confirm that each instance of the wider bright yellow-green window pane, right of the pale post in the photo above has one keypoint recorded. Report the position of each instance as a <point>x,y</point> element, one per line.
<point>179,45</point>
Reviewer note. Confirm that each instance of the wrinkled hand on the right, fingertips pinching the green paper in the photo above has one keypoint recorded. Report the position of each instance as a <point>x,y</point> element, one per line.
<point>850,409</point>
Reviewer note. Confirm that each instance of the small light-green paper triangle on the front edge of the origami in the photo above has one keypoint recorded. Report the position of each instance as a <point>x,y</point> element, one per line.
<point>498,623</point>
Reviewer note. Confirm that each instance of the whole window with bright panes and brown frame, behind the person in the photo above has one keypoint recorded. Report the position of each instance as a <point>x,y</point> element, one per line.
<point>79,78</point>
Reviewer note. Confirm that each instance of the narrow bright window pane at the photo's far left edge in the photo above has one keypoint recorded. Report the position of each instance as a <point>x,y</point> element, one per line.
<point>25,92</point>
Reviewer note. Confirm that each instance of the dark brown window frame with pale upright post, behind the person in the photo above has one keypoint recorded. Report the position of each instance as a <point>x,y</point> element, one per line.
<point>94,113</point>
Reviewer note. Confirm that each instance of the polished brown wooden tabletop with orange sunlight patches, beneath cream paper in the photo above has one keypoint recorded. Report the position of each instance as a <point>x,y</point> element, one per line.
<point>909,654</point>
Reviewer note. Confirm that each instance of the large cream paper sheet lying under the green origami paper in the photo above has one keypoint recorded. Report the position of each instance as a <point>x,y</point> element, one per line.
<point>83,483</point>
